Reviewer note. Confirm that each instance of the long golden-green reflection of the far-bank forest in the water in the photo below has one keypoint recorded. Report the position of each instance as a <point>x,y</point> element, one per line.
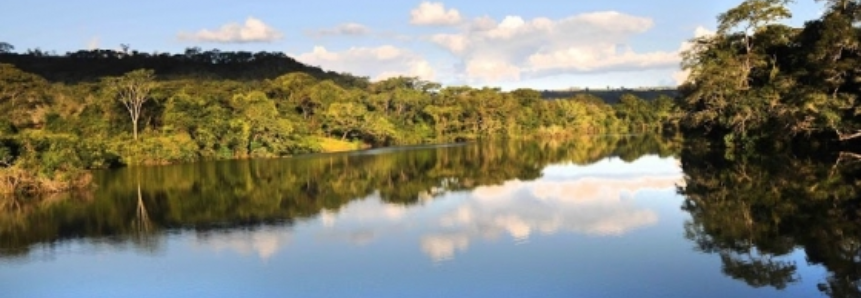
<point>228,194</point>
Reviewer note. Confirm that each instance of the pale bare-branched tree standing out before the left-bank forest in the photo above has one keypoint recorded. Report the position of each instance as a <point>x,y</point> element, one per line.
<point>133,90</point>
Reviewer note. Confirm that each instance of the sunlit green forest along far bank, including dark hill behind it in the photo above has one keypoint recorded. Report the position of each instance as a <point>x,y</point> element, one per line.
<point>188,107</point>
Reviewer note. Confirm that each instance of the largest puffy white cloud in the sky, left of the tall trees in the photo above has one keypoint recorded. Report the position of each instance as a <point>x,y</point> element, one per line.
<point>515,48</point>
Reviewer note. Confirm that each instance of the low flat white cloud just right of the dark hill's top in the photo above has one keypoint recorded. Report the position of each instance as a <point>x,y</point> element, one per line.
<point>376,62</point>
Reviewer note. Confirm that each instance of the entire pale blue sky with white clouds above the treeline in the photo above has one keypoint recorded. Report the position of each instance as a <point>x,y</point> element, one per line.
<point>537,44</point>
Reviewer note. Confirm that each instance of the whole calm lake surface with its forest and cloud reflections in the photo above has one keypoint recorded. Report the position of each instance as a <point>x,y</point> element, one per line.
<point>590,218</point>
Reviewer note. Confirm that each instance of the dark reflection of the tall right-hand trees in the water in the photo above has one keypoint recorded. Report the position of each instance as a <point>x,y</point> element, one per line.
<point>754,212</point>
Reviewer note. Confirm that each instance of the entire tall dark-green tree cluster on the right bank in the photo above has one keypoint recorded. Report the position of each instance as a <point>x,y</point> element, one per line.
<point>756,79</point>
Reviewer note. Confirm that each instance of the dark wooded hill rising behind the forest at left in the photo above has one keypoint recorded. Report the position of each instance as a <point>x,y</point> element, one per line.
<point>92,65</point>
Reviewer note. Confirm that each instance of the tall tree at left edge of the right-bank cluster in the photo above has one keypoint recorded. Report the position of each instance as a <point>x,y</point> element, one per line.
<point>739,77</point>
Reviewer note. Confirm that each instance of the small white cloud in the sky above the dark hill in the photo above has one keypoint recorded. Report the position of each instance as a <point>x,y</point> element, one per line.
<point>253,30</point>
